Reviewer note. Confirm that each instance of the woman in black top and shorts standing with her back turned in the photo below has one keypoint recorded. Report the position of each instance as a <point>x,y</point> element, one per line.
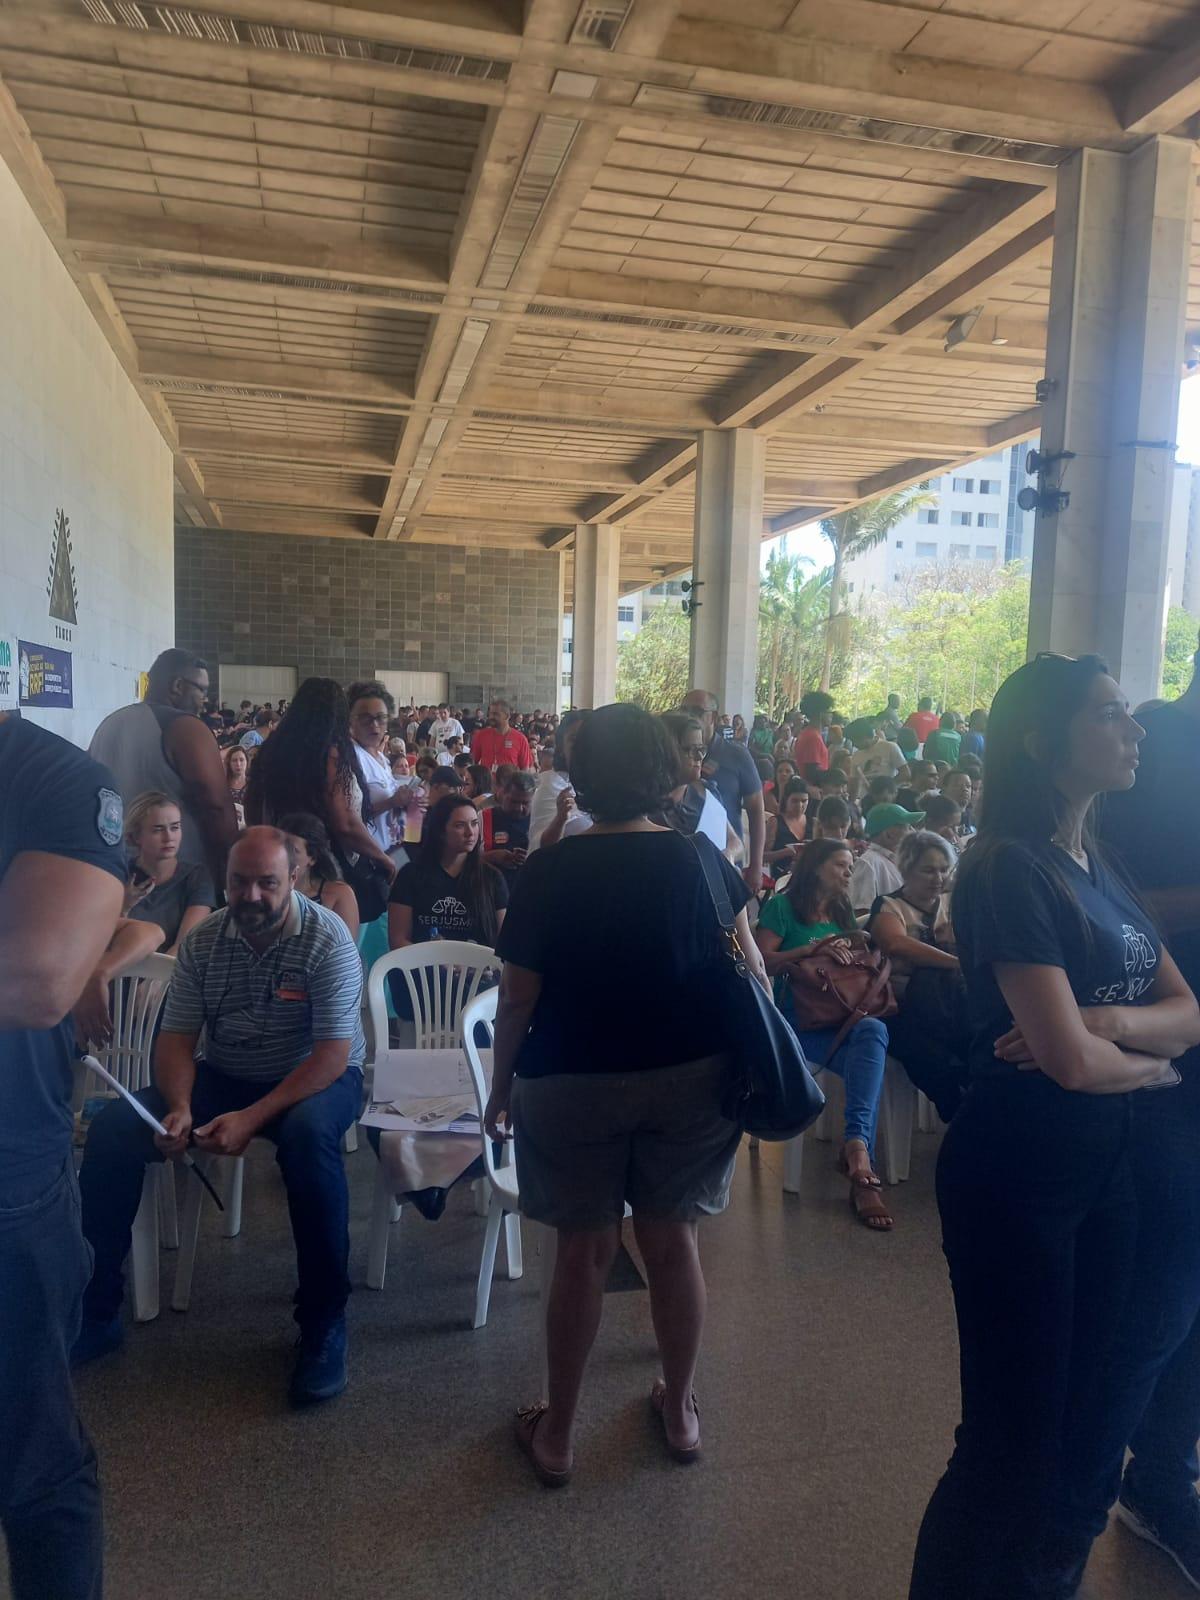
<point>617,1103</point>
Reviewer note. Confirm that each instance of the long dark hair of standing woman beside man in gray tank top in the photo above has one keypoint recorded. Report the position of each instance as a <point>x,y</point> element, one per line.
<point>290,772</point>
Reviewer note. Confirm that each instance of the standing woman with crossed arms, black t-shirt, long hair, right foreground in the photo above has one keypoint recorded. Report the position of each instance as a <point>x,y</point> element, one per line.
<point>1074,1007</point>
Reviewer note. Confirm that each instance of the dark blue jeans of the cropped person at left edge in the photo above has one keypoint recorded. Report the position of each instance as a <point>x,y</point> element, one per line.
<point>50,1505</point>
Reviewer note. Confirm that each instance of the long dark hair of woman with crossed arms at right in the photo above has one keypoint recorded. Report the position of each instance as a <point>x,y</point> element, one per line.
<point>1028,734</point>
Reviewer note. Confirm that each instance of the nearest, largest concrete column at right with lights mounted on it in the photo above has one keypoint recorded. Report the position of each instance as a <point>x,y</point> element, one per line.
<point>1114,353</point>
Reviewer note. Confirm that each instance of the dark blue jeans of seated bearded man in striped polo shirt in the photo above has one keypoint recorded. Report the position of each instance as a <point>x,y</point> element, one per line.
<point>308,1150</point>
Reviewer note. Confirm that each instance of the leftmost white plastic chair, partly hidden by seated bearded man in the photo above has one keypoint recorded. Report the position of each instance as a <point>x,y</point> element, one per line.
<point>138,999</point>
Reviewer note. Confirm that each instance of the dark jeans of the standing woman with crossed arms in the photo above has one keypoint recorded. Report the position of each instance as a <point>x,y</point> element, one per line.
<point>1036,1199</point>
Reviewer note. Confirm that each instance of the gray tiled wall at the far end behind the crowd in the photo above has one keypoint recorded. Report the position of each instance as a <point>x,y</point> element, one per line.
<point>345,609</point>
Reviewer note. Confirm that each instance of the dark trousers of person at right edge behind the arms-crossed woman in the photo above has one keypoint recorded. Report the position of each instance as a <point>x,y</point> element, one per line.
<point>1151,1390</point>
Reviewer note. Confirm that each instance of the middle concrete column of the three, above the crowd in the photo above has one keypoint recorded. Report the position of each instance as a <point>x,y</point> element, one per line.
<point>727,554</point>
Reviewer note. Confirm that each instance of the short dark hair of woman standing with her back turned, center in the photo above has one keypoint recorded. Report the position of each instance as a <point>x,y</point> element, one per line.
<point>625,764</point>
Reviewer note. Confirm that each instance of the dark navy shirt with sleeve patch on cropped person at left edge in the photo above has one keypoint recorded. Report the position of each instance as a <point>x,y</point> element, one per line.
<point>55,801</point>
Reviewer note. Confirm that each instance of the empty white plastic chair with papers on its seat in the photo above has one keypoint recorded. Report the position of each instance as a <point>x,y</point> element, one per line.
<point>442,978</point>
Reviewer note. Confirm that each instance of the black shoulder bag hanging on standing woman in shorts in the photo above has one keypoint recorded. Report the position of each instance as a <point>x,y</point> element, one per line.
<point>770,1092</point>
